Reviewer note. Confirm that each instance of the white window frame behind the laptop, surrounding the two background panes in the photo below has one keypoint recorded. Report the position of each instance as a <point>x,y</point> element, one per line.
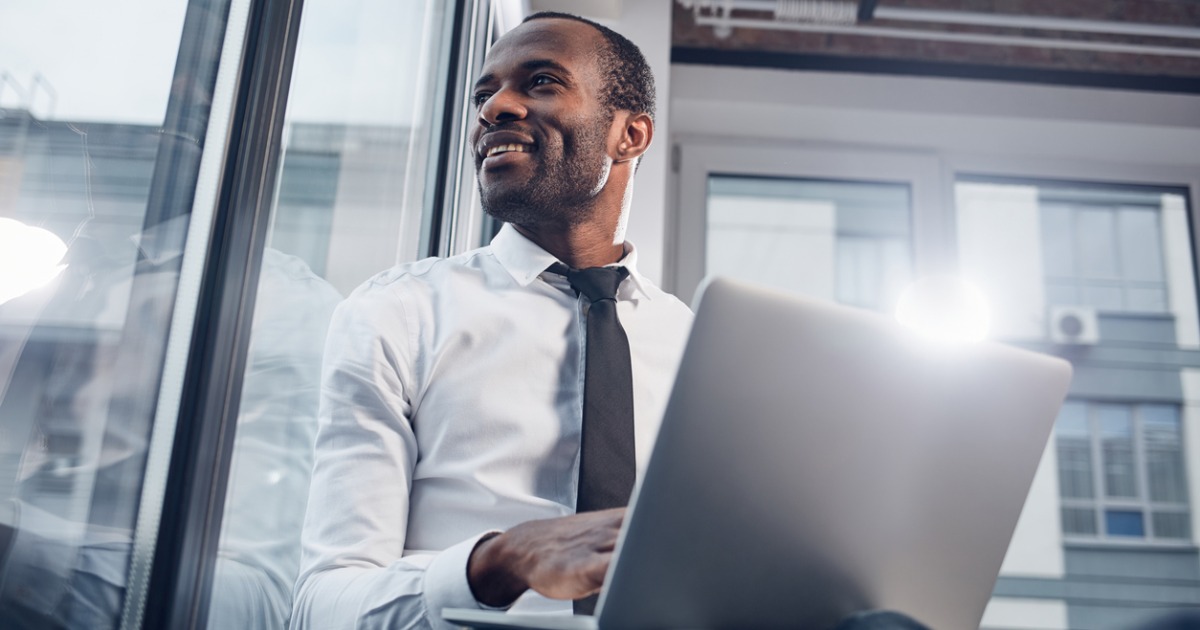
<point>932,176</point>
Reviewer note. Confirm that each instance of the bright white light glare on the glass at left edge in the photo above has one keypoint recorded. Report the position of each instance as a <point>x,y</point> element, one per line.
<point>29,259</point>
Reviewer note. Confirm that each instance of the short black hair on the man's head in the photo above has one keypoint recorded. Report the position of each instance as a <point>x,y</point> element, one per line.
<point>629,83</point>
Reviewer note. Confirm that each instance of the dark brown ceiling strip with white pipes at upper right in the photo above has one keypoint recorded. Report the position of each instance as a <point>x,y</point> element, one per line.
<point>1151,45</point>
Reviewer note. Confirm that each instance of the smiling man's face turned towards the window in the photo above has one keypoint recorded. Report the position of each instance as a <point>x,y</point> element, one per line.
<point>542,135</point>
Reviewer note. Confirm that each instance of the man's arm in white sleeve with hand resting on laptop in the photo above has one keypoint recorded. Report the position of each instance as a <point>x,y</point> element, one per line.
<point>353,571</point>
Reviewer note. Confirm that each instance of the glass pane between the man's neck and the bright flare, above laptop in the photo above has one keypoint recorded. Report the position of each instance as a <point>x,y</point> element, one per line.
<point>827,239</point>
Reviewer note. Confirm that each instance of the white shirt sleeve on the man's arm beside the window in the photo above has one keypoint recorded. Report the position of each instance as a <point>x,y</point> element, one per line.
<point>353,569</point>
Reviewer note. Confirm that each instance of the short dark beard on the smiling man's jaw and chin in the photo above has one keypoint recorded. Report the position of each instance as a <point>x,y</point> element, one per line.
<point>563,187</point>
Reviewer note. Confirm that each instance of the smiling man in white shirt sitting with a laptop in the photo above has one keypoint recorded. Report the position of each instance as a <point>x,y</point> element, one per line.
<point>448,455</point>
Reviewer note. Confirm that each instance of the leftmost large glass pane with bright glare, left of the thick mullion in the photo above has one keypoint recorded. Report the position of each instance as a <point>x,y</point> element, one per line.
<point>101,136</point>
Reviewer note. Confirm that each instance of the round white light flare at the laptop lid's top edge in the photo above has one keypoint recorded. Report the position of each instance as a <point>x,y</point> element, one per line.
<point>946,310</point>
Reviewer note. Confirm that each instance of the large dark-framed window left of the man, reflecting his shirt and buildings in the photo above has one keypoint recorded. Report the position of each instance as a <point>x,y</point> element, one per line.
<point>127,167</point>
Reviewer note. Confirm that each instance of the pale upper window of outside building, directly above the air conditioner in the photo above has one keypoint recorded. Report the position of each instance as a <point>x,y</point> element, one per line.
<point>1109,257</point>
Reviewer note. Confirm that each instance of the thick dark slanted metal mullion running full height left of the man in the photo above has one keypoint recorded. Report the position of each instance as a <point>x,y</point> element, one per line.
<point>185,553</point>
